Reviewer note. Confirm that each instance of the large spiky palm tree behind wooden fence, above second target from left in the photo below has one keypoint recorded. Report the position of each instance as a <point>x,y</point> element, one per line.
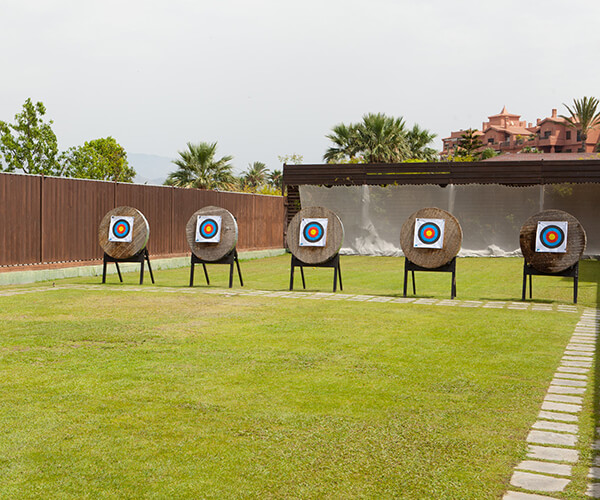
<point>198,168</point>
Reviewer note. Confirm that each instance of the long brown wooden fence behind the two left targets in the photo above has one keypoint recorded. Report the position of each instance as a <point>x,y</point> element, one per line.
<point>54,220</point>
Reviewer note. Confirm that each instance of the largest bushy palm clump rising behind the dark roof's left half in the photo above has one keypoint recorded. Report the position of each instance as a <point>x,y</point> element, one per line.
<point>377,139</point>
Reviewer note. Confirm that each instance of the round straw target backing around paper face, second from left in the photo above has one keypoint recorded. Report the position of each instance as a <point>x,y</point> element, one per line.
<point>212,252</point>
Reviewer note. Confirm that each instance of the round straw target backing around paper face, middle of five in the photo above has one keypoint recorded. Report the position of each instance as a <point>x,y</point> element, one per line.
<point>333,238</point>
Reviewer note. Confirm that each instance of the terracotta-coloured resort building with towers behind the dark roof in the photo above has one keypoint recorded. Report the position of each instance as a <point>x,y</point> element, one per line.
<point>507,133</point>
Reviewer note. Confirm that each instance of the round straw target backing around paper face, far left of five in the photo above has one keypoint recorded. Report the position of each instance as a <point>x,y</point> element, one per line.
<point>139,237</point>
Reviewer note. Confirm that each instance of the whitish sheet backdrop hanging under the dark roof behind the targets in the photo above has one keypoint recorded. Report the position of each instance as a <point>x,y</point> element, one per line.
<point>491,216</point>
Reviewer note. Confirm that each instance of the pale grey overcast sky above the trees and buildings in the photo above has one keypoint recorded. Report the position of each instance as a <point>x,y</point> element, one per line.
<point>271,77</point>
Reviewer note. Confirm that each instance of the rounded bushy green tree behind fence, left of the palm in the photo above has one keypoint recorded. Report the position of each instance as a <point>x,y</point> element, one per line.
<point>102,159</point>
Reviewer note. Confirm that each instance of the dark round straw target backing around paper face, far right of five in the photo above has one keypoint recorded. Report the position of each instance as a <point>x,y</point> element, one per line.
<point>550,262</point>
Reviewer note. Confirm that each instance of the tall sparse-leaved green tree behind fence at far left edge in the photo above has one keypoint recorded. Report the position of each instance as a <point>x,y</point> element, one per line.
<point>30,144</point>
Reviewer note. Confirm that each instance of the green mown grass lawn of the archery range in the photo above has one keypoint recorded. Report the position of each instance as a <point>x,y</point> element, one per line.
<point>108,394</point>
